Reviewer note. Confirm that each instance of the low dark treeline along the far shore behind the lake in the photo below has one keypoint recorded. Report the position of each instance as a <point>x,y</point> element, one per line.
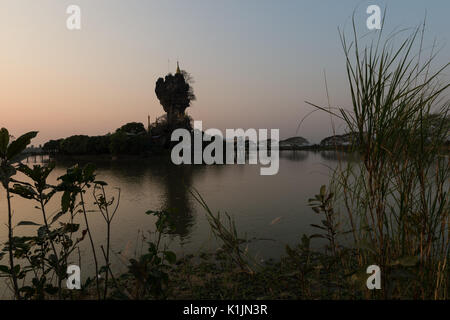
<point>133,139</point>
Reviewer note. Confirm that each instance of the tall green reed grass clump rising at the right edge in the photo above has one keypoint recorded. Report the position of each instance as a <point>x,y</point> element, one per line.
<point>396,198</point>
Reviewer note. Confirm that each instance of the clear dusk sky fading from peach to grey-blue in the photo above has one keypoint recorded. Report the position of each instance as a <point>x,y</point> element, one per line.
<point>254,62</point>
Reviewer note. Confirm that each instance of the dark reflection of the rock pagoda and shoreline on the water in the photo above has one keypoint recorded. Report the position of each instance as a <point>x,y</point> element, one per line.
<point>170,183</point>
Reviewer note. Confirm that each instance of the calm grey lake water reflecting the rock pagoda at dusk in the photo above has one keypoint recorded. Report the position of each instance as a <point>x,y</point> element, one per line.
<point>272,210</point>
